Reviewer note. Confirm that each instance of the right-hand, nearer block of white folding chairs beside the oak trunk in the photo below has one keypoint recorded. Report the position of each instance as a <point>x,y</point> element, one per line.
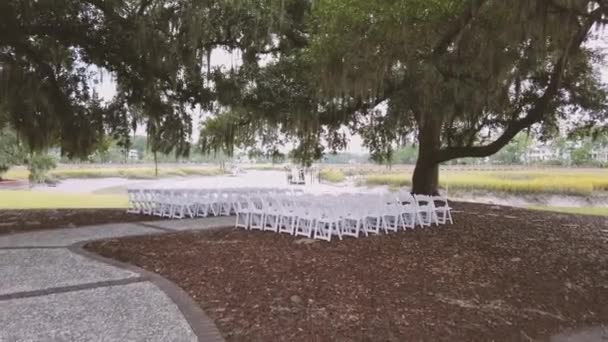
<point>322,217</point>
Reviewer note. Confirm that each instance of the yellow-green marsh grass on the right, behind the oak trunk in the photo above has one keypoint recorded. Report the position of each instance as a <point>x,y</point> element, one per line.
<point>560,182</point>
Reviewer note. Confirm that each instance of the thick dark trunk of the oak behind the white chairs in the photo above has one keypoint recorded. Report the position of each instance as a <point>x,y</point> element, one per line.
<point>425,180</point>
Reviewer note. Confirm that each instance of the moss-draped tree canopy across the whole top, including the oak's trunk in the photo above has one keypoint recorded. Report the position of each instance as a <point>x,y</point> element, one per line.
<point>462,76</point>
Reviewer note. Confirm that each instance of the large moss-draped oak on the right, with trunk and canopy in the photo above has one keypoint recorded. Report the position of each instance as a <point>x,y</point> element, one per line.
<point>464,76</point>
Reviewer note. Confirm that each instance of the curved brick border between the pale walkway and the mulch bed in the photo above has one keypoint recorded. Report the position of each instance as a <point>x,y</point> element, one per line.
<point>203,327</point>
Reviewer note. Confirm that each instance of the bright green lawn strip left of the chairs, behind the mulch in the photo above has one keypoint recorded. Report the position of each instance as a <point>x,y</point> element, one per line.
<point>25,199</point>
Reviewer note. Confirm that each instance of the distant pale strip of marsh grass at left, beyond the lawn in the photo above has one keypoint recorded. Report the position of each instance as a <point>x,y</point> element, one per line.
<point>121,172</point>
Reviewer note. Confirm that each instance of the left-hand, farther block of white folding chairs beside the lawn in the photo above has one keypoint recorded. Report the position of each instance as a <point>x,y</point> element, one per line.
<point>181,203</point>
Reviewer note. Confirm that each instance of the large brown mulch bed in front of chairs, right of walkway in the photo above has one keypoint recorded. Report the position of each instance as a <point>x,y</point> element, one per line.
<point>498,274</point>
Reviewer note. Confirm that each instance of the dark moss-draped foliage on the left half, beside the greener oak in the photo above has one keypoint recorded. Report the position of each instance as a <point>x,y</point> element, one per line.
<point>157,52</point>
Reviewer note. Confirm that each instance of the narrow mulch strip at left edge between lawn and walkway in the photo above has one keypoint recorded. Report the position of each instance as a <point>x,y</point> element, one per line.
<point>14,221</point>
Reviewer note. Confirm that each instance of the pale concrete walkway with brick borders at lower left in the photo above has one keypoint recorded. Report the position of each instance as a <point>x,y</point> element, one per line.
<point>52,290</point>
